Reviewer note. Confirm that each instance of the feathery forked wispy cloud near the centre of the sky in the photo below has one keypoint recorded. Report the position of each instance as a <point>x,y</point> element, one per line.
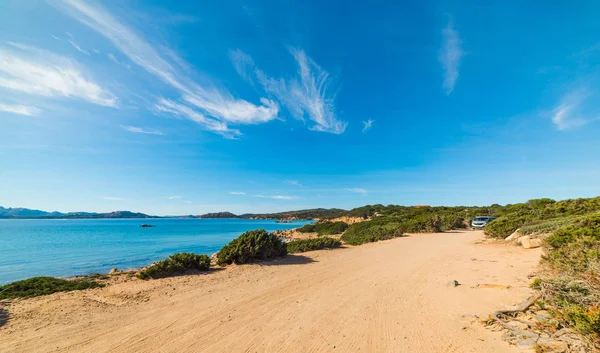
<point>304,97</point>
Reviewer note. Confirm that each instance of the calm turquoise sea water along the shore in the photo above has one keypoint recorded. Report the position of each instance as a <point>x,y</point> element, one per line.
<point>63,248</point>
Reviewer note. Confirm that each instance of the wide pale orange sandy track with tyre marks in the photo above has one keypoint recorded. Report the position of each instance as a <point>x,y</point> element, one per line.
<point>390,296</point>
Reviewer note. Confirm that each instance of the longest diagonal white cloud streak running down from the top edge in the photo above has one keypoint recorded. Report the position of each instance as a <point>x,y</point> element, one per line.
<point>210,100</point>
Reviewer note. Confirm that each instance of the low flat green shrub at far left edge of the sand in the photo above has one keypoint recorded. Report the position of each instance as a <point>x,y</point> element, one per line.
<point>37,286</point>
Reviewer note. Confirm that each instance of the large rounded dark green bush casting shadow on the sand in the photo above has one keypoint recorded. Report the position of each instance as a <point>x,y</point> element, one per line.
<point>254,245</point>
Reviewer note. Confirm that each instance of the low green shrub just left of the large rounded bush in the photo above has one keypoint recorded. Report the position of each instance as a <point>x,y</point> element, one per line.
<point>174,264</point>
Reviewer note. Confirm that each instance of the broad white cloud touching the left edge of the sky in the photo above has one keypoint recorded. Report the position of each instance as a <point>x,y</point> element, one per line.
<point>38,72</point>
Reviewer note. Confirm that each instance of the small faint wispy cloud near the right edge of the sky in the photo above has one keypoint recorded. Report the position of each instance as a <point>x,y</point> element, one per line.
<point>569,113</point>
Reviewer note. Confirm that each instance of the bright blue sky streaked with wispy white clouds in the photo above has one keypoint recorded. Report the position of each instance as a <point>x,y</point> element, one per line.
<point>189,107</point>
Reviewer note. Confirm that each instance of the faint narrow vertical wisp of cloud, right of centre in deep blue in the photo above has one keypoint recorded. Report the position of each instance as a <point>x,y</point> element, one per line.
<point>450,55</point>
